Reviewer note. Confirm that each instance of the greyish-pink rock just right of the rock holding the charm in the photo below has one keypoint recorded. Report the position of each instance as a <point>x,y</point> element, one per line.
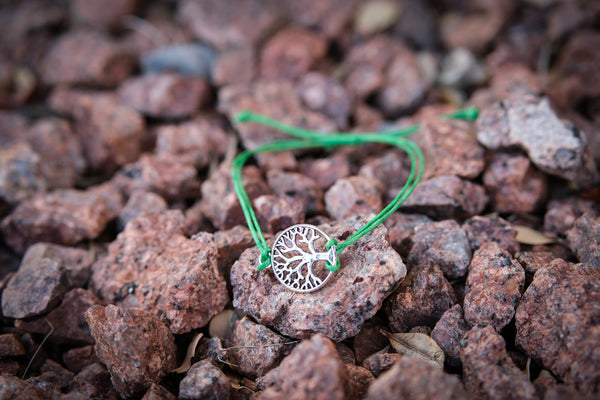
<point>442,243</point>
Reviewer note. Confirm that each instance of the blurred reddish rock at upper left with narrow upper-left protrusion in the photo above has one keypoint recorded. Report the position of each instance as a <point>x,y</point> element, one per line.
<point>111,133</point>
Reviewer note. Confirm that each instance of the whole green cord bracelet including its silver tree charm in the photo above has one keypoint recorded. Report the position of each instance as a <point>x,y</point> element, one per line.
<point>294,257</point>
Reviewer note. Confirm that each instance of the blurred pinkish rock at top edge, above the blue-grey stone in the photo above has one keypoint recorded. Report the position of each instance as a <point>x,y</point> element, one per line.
<point>240,23</point>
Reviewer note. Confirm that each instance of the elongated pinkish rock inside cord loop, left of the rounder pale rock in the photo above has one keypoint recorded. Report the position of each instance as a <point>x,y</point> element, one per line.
<point>298,186</point>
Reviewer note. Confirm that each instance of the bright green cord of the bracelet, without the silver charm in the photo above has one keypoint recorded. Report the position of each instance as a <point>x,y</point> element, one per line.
<point>311,139</point>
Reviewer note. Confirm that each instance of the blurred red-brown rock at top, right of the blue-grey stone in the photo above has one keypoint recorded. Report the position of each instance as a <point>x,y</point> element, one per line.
<point>291,52</point>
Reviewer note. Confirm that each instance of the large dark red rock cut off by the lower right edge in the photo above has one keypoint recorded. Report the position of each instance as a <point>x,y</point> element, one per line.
<point>557,323</point>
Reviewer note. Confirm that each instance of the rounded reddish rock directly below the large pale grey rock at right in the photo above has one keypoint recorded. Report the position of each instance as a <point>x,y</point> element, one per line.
<point>513,184</point>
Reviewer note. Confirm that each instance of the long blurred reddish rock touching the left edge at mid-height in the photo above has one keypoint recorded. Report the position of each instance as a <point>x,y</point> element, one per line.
<point>64,216</point>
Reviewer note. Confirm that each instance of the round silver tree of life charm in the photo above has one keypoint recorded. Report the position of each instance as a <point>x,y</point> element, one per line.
<point>299,257</point>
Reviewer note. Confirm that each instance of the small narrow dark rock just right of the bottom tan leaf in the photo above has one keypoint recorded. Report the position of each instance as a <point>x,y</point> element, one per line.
<point>448,332</point>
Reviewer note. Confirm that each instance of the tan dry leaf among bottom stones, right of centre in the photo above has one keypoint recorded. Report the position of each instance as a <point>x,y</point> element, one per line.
<point>418,345</point>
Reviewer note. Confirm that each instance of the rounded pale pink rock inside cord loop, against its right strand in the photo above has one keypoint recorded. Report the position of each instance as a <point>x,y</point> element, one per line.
<point>356,195</point>
